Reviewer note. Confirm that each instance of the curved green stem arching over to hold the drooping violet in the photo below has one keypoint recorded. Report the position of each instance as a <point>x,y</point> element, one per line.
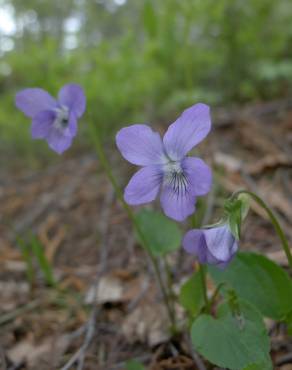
<point>274,221</point>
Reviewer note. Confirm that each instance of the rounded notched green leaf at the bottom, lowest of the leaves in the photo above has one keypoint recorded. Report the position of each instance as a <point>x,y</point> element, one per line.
<point>230,343</point>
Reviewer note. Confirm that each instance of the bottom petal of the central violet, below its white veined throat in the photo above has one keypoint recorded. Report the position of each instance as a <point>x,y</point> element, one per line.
<point>177,205</point>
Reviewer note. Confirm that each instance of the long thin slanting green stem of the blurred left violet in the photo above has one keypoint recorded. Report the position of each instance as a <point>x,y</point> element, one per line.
<point>107,169</point>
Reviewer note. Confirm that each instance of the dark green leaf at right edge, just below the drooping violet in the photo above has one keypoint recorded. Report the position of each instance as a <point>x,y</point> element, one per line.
<point>260,281</point>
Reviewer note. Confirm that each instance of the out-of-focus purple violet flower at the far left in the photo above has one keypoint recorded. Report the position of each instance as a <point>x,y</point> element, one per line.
<point>53,120</point>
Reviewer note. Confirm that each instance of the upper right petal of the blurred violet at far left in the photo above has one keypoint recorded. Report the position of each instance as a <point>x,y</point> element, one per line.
<point>73,97</point>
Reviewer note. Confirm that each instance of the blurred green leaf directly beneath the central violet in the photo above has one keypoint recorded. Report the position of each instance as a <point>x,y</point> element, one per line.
<point>162,235</point>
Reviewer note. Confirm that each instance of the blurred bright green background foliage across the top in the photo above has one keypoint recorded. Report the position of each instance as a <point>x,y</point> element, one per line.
<point>141,60</point>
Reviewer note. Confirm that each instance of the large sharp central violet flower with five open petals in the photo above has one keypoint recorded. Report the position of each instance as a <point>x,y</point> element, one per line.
<point>166,169</point>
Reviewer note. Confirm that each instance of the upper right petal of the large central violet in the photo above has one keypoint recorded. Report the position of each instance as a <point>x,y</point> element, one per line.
<point>187,131</point>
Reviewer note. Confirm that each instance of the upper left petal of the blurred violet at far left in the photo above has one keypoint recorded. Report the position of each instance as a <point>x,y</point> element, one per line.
<point>32,101</point>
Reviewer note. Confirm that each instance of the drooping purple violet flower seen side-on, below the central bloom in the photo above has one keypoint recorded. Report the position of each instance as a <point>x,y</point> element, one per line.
<point>215,246</point>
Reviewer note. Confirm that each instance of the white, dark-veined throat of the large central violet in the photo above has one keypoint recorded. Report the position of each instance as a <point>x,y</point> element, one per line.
<point>175,177</point>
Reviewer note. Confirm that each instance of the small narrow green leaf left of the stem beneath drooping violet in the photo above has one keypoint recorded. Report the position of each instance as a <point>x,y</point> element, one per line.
<point>191,295</point>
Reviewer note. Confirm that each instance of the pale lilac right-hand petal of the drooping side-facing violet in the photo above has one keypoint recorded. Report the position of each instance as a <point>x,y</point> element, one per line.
<point>221,243</point>
